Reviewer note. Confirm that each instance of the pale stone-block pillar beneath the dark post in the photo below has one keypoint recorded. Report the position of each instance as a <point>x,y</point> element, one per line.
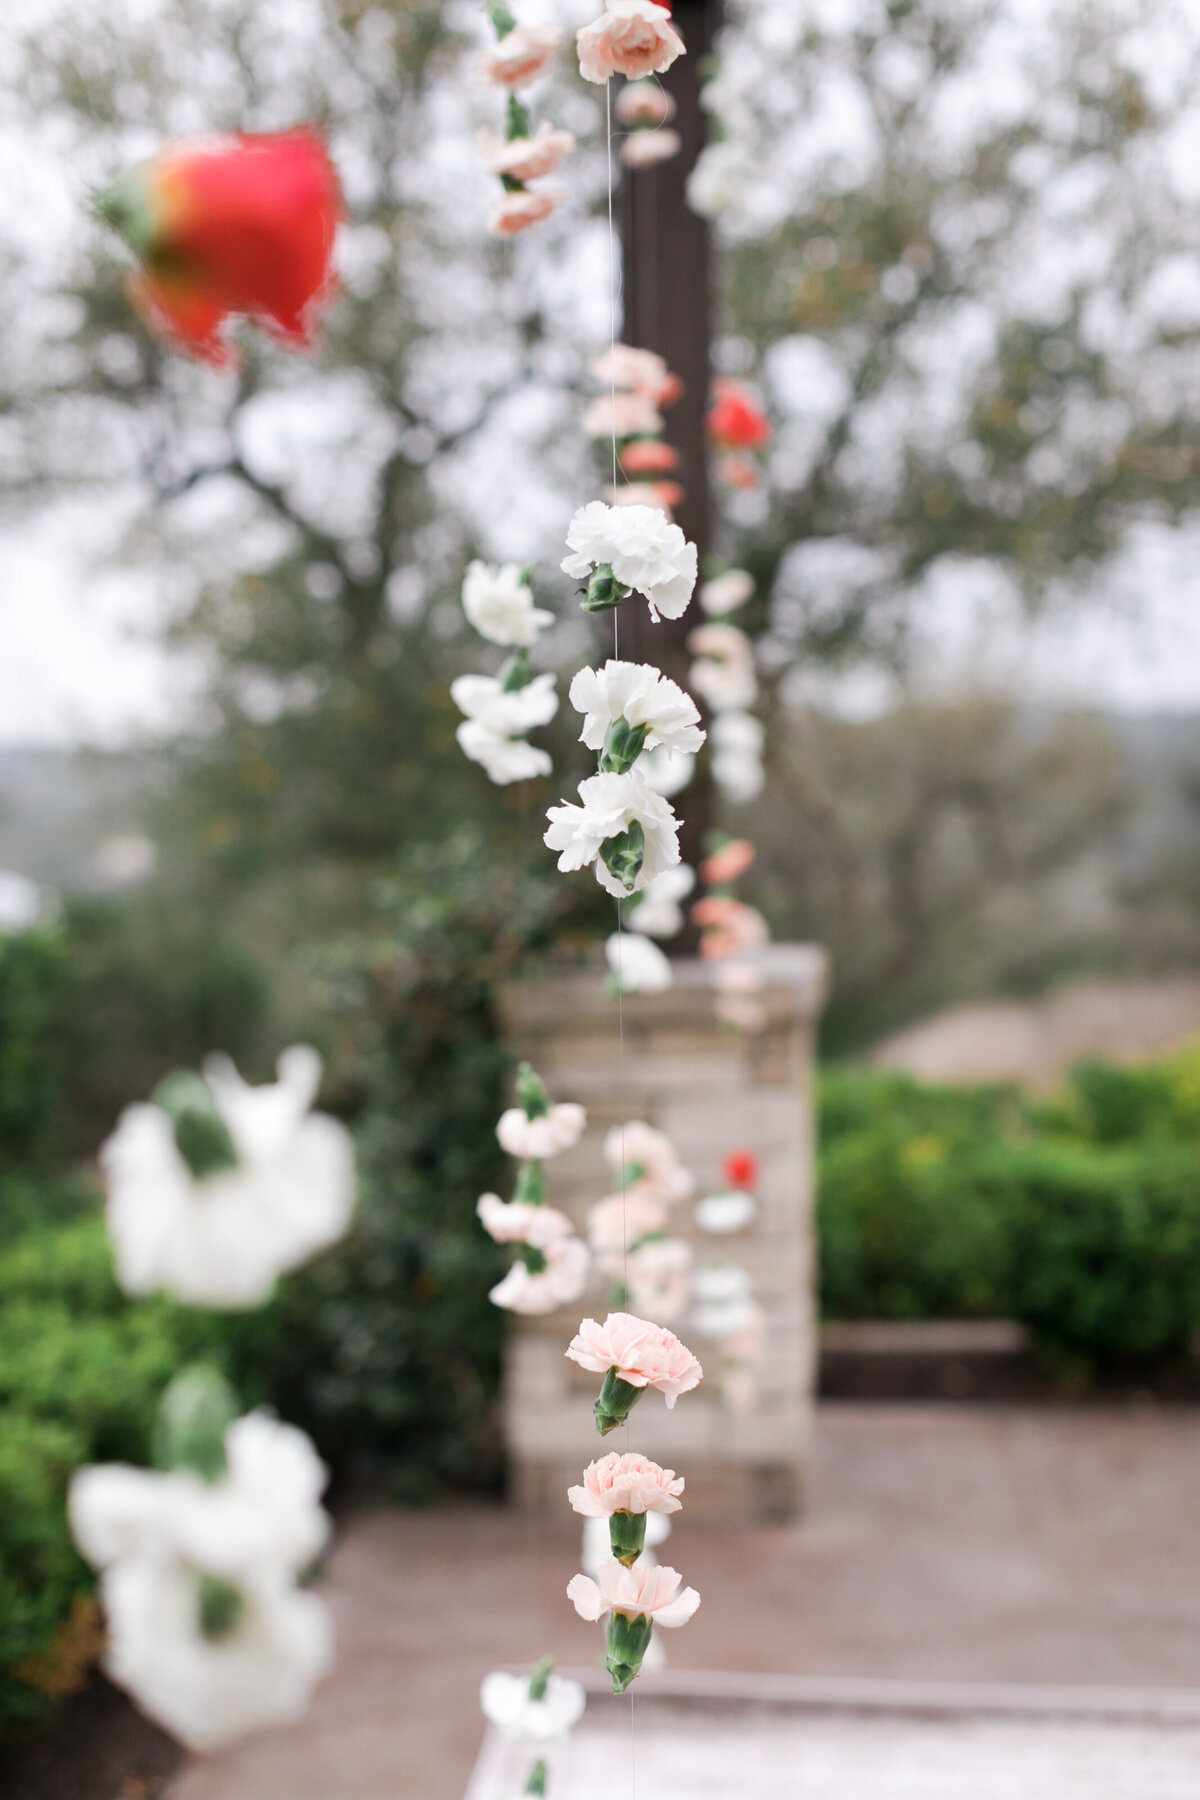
<point>713,1090</point>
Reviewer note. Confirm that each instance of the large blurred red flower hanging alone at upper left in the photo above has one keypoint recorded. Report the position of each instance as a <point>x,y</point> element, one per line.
<point>231,226</point>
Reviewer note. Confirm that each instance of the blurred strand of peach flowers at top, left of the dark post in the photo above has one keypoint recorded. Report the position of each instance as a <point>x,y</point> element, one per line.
<point>519,58</point>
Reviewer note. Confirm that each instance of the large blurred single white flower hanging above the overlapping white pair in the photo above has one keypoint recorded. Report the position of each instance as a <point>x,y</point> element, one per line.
<point>222,1239</point>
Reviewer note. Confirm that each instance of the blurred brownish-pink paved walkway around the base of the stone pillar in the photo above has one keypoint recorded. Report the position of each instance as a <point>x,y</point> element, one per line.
<point>942,1543</point>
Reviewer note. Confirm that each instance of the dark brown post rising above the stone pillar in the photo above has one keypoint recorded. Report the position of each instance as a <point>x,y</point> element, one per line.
<point>668,307</point>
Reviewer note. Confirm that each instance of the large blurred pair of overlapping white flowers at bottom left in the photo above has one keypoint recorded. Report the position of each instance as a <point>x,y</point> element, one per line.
<point>168,1545</point>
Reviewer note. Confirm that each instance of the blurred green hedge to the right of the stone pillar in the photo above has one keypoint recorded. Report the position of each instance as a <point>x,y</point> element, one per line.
<point>1080,1216</point>
